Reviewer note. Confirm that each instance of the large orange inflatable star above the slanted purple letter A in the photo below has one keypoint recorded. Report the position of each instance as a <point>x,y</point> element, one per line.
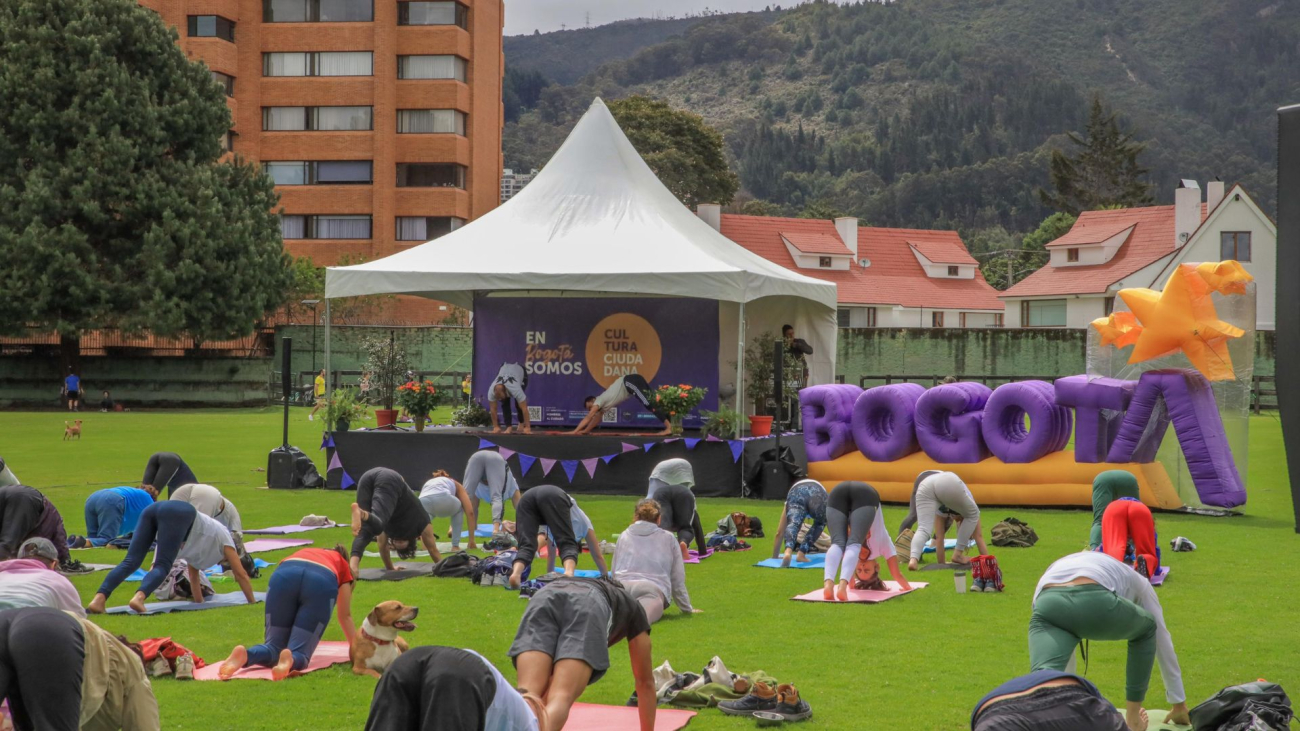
<point>1182,318</point>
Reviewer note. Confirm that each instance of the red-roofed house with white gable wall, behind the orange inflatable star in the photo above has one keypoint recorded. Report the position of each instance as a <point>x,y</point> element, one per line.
<point>1107,252</point>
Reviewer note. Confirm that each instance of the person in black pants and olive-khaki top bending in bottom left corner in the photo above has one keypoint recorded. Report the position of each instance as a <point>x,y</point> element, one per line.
<point>62,673</point>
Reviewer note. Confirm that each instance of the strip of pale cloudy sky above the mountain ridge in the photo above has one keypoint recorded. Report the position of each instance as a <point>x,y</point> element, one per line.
<point>526,16</point>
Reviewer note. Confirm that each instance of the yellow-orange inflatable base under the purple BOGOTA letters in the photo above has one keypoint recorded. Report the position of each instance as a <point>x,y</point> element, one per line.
<point>1055,481</point>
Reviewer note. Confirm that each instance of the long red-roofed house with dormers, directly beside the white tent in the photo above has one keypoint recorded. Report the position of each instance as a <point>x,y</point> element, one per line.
<point>886,278</point>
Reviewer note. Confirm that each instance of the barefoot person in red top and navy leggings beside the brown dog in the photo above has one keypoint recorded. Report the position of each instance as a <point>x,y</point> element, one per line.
<point>302,596</point>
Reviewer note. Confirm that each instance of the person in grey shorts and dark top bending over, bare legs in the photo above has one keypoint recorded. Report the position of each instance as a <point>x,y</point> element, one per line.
<point>565,638</point>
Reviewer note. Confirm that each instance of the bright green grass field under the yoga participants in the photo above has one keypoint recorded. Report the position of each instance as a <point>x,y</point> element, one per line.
<point>916,663</point>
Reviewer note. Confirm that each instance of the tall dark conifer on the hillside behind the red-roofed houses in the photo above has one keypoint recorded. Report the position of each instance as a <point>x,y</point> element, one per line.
<point>1104,171</point>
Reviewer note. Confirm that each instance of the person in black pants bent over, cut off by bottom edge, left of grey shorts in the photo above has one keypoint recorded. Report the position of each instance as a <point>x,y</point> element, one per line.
<point>435,689</point>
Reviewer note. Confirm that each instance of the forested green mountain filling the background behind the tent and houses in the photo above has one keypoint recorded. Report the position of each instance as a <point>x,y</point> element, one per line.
<point>941,114</point>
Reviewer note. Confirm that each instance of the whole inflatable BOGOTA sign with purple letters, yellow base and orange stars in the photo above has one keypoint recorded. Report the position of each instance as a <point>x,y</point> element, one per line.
<point>1182,357</point>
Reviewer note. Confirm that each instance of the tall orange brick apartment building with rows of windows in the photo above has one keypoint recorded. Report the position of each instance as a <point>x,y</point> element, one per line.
<point>380,120</point>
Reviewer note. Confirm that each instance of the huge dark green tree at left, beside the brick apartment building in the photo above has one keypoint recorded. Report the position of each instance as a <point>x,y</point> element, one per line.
<point>115,211</point>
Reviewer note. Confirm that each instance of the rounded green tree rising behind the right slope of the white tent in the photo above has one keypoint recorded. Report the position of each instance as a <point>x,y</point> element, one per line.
<point>684,152</point>
